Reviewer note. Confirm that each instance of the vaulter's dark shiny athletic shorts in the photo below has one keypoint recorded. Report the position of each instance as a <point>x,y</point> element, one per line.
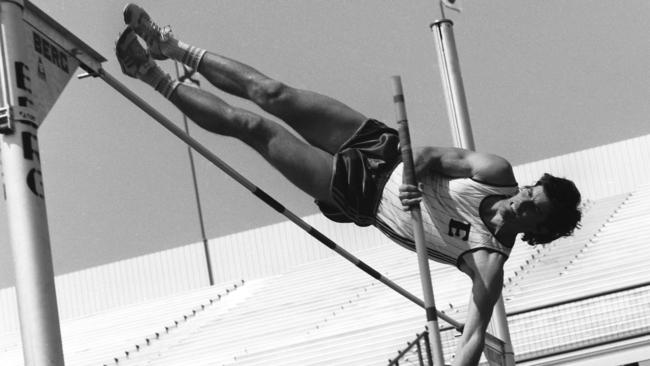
<point>361,168</point>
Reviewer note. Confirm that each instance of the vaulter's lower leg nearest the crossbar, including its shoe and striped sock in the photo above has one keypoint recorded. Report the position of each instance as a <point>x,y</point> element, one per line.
<point>307,167</point>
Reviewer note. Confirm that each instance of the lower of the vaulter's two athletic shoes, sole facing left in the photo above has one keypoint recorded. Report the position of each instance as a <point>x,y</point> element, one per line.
<point>134,60</point>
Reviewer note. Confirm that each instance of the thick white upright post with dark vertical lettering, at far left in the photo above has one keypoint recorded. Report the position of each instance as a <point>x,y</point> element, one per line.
<point>23,183</point>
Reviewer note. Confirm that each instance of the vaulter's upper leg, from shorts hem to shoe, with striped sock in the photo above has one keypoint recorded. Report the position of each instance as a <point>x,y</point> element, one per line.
<point>324,122</point>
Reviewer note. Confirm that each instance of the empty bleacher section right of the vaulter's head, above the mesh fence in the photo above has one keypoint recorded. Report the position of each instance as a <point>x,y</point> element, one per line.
<point>592,261</point>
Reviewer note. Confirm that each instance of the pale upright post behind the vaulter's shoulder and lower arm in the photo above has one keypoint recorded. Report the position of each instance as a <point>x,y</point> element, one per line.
<point>463,137</point>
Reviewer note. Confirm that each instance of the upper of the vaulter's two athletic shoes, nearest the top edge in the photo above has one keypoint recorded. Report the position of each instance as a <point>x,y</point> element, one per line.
<point>155,36</point>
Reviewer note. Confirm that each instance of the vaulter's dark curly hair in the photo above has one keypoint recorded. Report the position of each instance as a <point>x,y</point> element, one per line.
<point>565,214</point>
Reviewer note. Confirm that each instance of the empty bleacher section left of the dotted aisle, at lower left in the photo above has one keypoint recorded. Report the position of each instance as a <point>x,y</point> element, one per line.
<point>104,337</point>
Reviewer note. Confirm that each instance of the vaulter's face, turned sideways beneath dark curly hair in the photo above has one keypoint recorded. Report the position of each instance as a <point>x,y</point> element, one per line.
<point>529,208</point>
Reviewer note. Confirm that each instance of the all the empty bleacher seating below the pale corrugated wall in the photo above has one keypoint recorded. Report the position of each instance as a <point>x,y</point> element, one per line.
<point>588,288</point>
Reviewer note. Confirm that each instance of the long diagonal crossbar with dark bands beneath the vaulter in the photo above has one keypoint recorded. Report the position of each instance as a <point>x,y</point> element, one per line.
<point>194,144</point>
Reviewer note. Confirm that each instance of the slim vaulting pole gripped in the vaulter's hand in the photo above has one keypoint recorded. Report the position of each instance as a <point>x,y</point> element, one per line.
<point>418,230</point>
